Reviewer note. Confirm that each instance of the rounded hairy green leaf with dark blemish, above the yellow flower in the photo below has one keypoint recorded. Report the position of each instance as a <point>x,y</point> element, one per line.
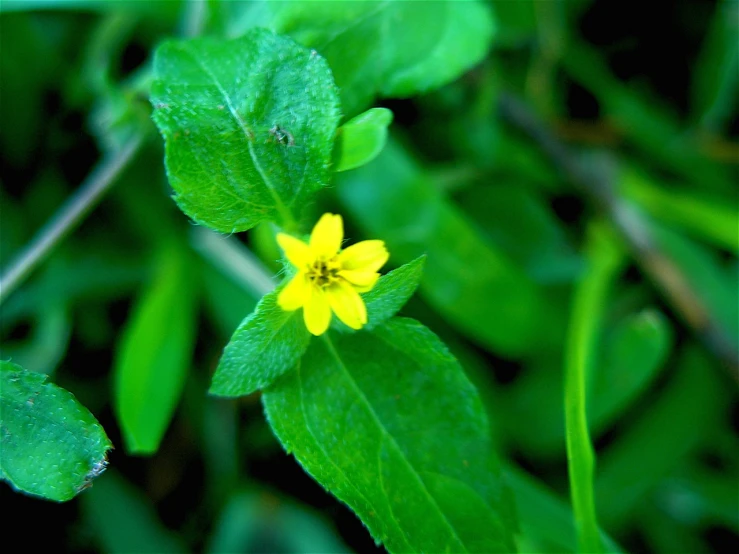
<point>249,126</point>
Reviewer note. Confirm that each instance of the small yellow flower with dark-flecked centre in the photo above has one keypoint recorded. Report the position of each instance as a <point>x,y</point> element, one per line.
<point>329,278</point>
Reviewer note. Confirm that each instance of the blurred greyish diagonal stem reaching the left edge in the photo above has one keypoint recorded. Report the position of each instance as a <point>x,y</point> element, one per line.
<point>67,217</point>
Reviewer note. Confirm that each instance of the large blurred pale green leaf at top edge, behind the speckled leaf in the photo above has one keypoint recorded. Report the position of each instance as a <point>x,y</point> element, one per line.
<point>388,48</point>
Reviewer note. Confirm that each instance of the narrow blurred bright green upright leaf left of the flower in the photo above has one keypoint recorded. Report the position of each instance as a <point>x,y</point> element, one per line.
<point>155,352</point>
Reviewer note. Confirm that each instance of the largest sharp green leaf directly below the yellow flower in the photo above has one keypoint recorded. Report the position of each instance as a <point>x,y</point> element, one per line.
<point>387,421</point>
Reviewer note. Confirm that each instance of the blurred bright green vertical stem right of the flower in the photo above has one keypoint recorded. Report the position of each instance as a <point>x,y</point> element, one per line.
<point>583,333</point>
